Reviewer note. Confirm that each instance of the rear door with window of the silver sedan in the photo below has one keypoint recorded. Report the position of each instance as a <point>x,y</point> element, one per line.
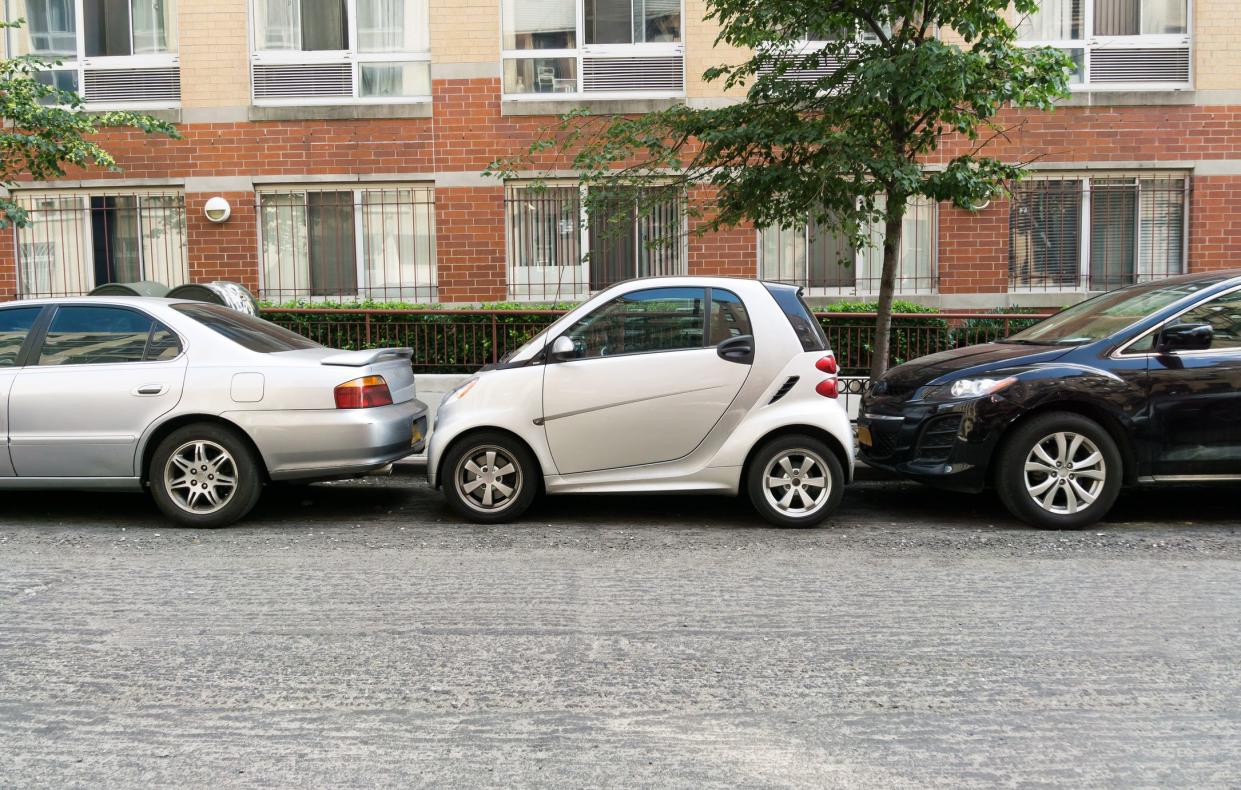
<point>100,379</point>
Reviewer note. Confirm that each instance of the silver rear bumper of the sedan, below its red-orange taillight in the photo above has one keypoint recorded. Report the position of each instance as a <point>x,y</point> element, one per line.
<point>321,445</point>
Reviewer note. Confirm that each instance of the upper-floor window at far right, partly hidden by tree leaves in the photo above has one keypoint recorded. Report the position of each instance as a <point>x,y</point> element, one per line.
<point>1118,44</point>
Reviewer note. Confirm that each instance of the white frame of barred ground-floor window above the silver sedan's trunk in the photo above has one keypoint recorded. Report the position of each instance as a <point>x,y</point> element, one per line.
<point>359,208</point>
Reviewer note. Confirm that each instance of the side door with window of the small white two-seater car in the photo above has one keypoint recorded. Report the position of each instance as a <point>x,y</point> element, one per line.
<point>652,373</point>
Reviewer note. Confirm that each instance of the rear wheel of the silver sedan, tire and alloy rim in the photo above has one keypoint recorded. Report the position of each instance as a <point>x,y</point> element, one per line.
<point>205,476</point>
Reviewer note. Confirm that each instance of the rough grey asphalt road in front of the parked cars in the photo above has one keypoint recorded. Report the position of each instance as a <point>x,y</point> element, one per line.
<point>358,636</point>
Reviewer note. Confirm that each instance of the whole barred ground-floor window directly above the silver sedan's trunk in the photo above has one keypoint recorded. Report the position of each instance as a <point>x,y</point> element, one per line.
<point>339,244</point>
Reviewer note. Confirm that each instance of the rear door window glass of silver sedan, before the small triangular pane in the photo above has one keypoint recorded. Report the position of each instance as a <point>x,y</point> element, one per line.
<point>96,337</point>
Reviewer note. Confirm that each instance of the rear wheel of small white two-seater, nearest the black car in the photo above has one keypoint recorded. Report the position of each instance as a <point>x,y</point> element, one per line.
<point>796,482</point>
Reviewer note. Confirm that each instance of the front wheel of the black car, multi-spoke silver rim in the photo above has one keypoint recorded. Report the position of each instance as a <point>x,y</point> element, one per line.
<point>1059,472</point>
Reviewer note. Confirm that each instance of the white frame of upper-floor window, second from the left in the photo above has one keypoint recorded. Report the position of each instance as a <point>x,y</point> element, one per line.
<point>353,56</point>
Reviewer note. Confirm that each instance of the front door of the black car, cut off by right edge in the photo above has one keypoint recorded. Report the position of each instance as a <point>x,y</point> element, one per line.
<point>1196,397</point>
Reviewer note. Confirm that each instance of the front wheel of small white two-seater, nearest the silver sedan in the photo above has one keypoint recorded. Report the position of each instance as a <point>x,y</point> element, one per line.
<point>490,478</point>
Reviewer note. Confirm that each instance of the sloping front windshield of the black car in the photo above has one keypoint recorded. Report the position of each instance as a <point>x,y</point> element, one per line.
<point>1105,316</point>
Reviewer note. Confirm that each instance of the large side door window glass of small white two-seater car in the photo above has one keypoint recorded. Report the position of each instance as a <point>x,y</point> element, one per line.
<point>657,319</point>
